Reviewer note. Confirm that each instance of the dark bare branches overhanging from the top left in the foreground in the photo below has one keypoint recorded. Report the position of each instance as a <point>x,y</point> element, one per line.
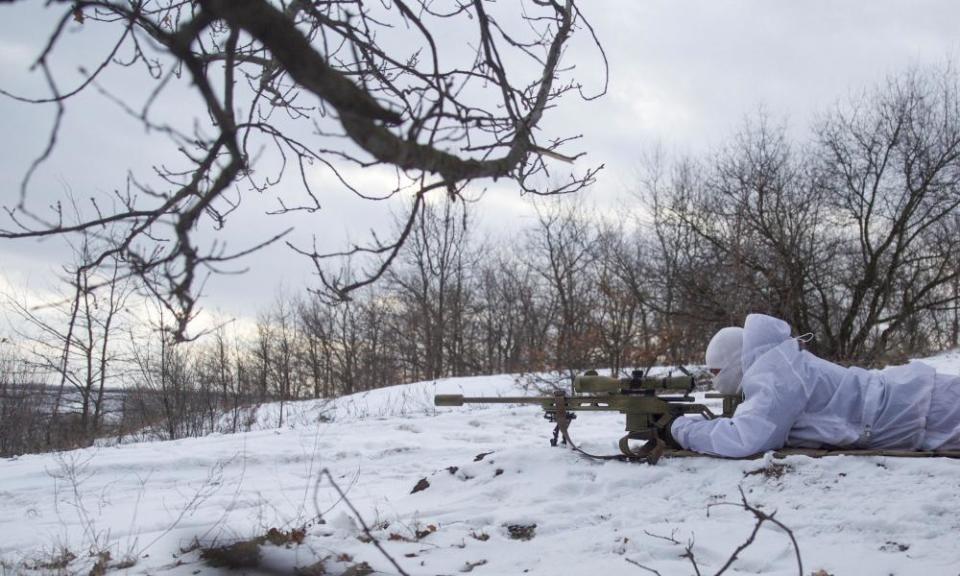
<point>286,87</point>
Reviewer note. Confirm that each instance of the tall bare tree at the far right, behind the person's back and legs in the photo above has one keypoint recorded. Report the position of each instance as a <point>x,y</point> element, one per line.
<point>891,164</point>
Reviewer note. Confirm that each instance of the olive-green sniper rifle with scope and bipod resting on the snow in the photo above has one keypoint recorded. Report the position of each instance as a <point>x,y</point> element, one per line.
<point>649,403</point>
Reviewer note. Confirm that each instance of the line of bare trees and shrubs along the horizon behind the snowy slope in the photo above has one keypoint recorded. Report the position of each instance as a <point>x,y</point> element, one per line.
<point>852,235</point>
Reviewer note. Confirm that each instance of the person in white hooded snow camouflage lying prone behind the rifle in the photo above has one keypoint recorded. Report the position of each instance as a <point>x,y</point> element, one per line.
<point>793,398</point>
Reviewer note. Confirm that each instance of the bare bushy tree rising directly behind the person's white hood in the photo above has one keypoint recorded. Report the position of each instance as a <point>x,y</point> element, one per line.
<point>747,224</point>
